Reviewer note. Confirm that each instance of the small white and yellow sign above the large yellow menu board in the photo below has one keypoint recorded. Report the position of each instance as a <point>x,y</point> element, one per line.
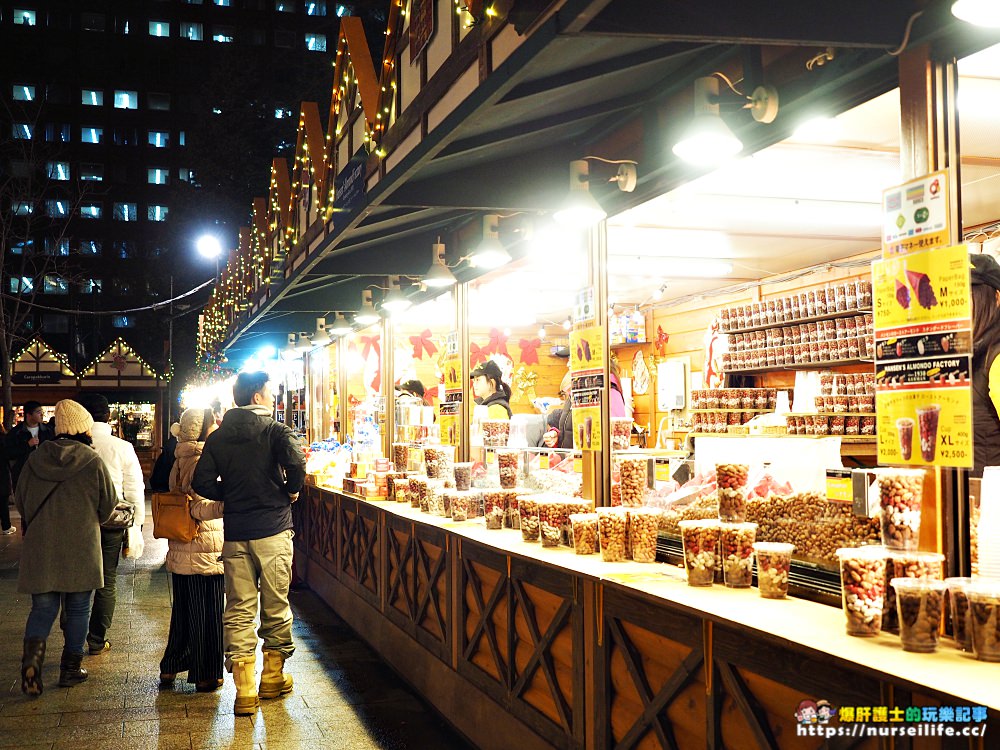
<point>915,215</point>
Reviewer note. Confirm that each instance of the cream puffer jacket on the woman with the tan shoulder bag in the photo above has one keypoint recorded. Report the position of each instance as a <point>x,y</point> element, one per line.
<point>200,556</point>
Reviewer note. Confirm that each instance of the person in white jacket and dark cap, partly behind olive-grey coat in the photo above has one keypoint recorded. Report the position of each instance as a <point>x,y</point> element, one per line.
<point>126,472</point>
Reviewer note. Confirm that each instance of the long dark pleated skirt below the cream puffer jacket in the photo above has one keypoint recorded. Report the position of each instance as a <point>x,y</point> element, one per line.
<point>195,642</point>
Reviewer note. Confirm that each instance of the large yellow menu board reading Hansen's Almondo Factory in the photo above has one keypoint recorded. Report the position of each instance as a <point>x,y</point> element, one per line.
<point>923,358</point>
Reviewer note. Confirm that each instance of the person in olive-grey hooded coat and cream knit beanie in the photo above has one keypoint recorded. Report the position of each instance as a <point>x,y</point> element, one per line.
<point>63,494</point>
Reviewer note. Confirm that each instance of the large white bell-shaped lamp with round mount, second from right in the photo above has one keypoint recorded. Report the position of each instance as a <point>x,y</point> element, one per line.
<point>708,141</point>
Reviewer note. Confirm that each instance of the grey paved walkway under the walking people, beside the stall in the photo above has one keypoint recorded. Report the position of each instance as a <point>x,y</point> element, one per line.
<point>344,697</point>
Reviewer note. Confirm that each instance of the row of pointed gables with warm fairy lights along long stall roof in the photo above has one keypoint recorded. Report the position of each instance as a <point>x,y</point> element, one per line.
<point>306,195</point>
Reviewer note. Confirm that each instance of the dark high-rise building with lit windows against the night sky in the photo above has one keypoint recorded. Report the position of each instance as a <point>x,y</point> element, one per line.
<point>134,126</point>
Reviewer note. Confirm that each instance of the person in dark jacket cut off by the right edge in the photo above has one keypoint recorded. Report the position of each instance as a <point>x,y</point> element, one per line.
<point>985,362</point>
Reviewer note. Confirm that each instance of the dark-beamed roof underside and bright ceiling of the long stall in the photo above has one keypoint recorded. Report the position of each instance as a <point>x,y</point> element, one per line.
<point>586,73</point>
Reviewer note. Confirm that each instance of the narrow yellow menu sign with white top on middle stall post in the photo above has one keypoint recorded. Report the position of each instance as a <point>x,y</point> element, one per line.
<point>586,364</point>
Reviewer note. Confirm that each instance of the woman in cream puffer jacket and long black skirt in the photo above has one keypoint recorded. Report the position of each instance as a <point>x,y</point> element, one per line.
<point>194,644</point>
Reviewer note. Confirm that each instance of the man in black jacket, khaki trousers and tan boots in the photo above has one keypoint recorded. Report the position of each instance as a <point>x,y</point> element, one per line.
<point>255,466</point>
